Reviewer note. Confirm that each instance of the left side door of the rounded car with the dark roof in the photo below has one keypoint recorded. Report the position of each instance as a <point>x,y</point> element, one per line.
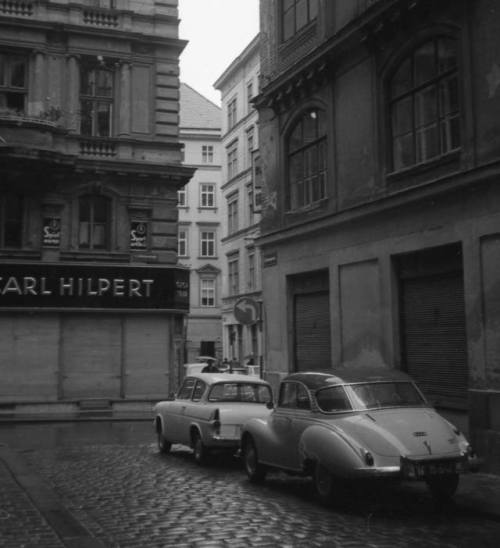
<point>286,424</point>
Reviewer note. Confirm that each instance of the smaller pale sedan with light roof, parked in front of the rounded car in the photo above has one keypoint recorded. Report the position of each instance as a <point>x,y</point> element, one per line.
<point>209,411</point>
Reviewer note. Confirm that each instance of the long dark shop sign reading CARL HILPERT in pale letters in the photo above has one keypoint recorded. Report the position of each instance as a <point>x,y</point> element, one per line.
<point>95,287</point>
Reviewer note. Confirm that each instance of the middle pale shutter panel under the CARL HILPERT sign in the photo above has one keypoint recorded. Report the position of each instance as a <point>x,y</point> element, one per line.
<point>91,356</point>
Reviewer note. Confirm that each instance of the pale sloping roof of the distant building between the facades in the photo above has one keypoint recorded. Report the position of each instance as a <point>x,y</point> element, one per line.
<point>196,111</point>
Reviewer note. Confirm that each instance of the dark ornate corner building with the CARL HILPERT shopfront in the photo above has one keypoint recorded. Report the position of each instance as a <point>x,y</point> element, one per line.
<point>92,300</point>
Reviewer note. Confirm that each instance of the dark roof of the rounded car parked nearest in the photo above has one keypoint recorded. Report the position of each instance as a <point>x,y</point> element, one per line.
<point>319,379</point>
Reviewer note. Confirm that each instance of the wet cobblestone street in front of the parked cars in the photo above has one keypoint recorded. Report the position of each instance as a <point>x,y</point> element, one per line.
<point>125,494</point>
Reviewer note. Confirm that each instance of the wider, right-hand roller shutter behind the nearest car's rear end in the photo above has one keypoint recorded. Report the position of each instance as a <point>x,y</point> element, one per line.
<point>434,337</point>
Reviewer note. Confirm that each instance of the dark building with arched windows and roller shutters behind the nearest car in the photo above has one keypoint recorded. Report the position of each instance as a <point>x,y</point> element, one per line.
<point>381,209</point>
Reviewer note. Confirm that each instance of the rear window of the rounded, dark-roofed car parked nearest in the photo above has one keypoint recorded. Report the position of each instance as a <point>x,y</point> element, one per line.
<point>374,395</point>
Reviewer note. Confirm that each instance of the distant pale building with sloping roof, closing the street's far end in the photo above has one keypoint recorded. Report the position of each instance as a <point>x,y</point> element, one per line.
<point>200,223</point>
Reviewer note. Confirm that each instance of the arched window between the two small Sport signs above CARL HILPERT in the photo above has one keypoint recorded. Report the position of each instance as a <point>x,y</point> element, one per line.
<point>94,218</point>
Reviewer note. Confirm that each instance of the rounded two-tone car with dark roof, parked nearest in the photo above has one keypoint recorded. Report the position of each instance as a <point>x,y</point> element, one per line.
<point>356,424</point>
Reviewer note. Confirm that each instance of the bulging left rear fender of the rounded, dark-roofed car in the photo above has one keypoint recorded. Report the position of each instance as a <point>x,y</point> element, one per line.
<point>332,448</point>
